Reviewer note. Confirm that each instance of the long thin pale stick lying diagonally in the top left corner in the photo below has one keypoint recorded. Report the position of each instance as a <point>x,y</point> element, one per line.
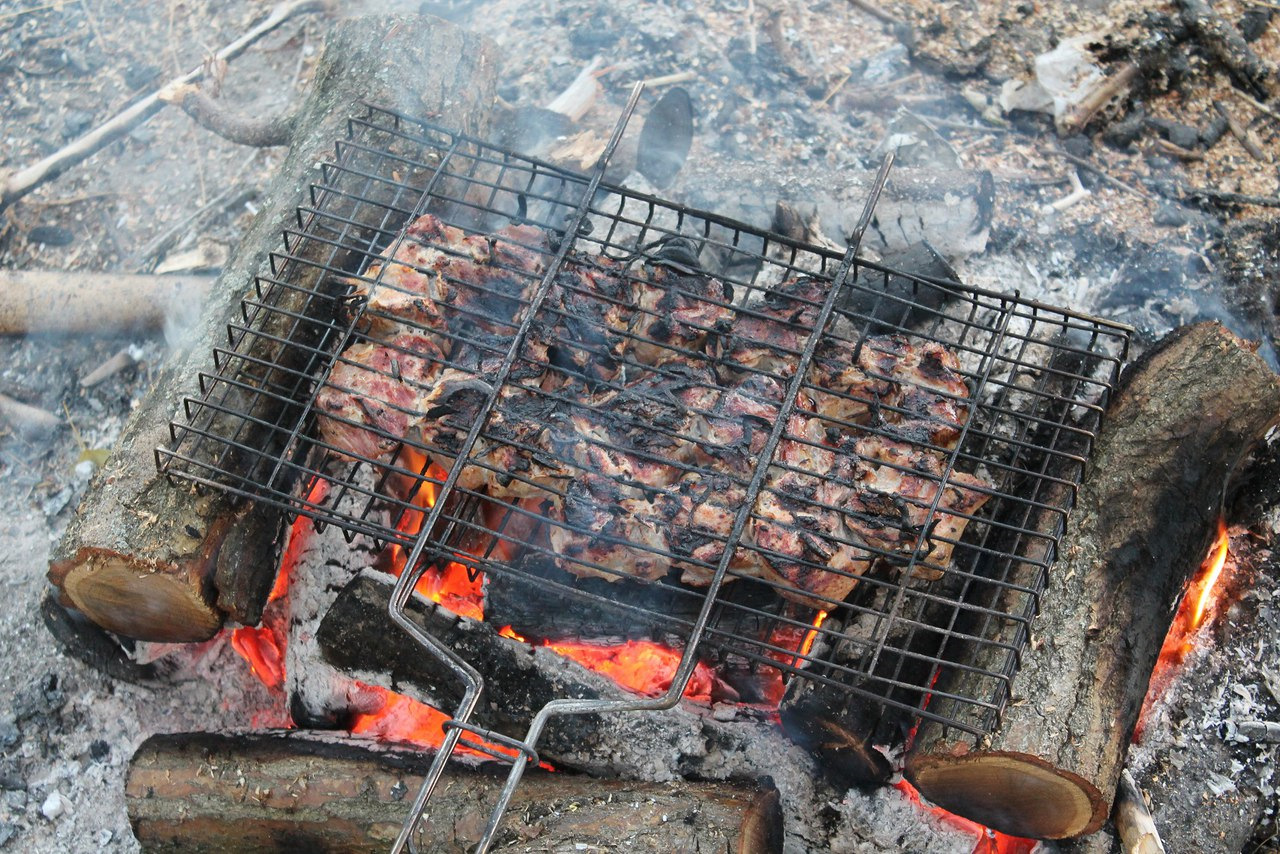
<point>22,182</point>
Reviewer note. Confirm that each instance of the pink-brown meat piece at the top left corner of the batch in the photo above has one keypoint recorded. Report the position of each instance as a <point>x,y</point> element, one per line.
<point>454,284</point>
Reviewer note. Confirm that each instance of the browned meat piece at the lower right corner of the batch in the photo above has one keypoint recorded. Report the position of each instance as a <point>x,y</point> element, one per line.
<point>894,486</point>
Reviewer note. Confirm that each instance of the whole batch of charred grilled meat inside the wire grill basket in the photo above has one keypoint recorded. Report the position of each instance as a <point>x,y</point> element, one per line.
<point>636,414</point>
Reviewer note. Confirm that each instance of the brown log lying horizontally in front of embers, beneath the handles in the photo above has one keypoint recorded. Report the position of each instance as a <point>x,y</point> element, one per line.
<point>285,792</point>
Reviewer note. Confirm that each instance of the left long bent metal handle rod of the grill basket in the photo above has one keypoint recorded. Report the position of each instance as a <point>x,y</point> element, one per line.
<point>415,565</point>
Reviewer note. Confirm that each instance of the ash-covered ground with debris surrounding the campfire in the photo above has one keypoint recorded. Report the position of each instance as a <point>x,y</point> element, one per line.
<point>1159,212</point>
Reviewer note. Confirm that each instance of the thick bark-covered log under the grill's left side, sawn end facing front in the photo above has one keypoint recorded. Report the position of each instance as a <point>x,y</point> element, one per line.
<point>154,560</point>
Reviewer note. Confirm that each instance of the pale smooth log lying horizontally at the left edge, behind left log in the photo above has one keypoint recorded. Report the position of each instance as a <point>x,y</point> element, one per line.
<point>92,303</point>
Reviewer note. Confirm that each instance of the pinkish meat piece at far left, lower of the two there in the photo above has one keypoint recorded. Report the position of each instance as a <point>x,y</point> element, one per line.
<point>371,401</point>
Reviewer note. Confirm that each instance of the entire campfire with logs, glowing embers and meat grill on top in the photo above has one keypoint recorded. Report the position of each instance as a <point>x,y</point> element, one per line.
<point>588,499</point>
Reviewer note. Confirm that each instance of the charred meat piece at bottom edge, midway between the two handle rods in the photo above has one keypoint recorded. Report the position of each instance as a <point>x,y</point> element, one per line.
<point>606,531</point>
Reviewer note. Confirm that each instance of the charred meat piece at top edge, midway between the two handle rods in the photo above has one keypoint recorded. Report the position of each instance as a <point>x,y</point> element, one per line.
<point>675,314</point>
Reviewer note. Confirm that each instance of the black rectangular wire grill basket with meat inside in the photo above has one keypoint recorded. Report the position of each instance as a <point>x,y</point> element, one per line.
<point>916,495</point>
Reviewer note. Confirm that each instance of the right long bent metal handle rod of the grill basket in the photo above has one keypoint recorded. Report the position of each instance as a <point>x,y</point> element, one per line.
<point>691,657</point>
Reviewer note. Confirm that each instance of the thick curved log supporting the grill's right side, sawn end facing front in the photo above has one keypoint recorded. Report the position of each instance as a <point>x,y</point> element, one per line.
<point>1146,515</point>
